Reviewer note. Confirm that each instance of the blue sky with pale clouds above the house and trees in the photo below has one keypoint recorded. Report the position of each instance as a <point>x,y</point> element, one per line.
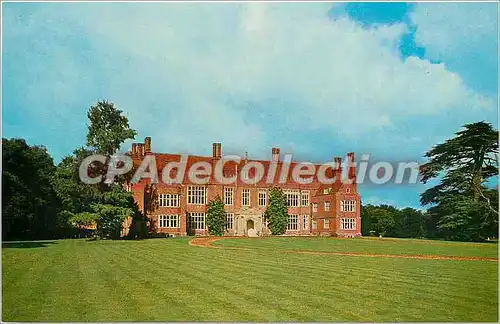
<point>315,79</point>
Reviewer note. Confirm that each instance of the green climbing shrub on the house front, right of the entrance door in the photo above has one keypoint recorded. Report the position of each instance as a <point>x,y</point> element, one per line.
<point>277,212</point>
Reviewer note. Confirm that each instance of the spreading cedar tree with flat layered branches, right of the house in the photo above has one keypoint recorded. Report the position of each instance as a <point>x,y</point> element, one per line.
<point>462,204</point>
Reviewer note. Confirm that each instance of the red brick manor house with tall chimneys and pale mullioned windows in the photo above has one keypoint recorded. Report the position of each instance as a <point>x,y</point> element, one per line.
<point>313,209</point>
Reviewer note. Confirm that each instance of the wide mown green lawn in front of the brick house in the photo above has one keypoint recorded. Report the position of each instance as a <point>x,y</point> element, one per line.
<point>169,280</point>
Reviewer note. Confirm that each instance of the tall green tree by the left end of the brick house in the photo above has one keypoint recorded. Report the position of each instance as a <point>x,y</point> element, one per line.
<point>106,205</point>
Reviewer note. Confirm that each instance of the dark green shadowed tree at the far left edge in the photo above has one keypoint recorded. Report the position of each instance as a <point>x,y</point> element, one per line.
<point>30,207</point>
